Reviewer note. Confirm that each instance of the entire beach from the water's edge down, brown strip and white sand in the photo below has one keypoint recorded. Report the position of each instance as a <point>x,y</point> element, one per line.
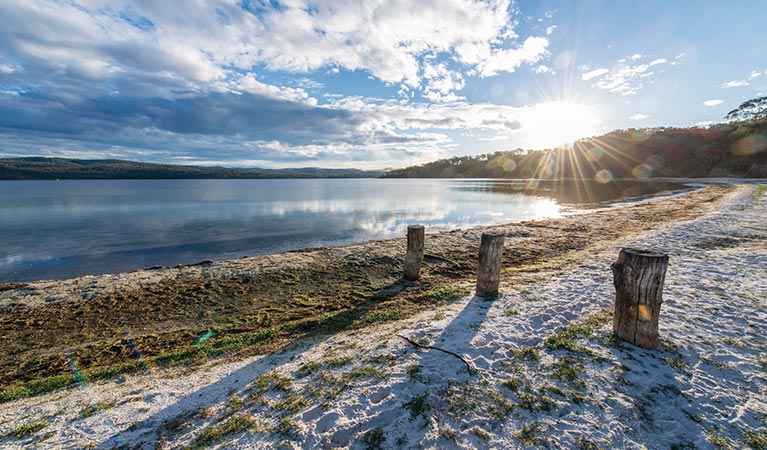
<point>547,371</point>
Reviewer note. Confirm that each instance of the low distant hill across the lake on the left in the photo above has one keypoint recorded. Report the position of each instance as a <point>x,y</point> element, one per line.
<point>92,169</point>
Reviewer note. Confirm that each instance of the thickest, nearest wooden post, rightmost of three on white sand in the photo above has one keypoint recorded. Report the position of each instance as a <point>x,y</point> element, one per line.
<point>638,276</point>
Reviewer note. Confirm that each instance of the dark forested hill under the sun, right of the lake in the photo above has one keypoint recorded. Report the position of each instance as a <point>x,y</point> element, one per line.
<point>736,149</point>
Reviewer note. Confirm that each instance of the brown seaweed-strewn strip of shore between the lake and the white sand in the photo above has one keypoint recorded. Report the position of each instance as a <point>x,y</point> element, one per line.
<point>289,295</point>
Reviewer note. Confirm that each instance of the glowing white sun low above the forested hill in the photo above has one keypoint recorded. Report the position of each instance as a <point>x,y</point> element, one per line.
<point>558,123</point>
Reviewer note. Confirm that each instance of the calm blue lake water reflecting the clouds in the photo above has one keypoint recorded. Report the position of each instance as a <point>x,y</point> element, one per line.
<point>63,229</point>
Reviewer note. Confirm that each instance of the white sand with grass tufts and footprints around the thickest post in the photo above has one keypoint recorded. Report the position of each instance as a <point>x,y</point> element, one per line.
<point>707,381</point>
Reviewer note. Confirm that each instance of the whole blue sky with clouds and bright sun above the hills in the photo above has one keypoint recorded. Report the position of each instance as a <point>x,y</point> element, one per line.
<point>369,84</point>
